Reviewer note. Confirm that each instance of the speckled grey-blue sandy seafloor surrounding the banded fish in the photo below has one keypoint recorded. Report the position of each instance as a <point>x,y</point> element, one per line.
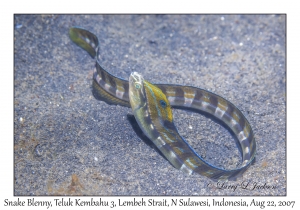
<point>68,143</point>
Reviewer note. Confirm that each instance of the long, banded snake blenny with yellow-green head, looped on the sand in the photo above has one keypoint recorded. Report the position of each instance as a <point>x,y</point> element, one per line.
<point>151,105</point>
